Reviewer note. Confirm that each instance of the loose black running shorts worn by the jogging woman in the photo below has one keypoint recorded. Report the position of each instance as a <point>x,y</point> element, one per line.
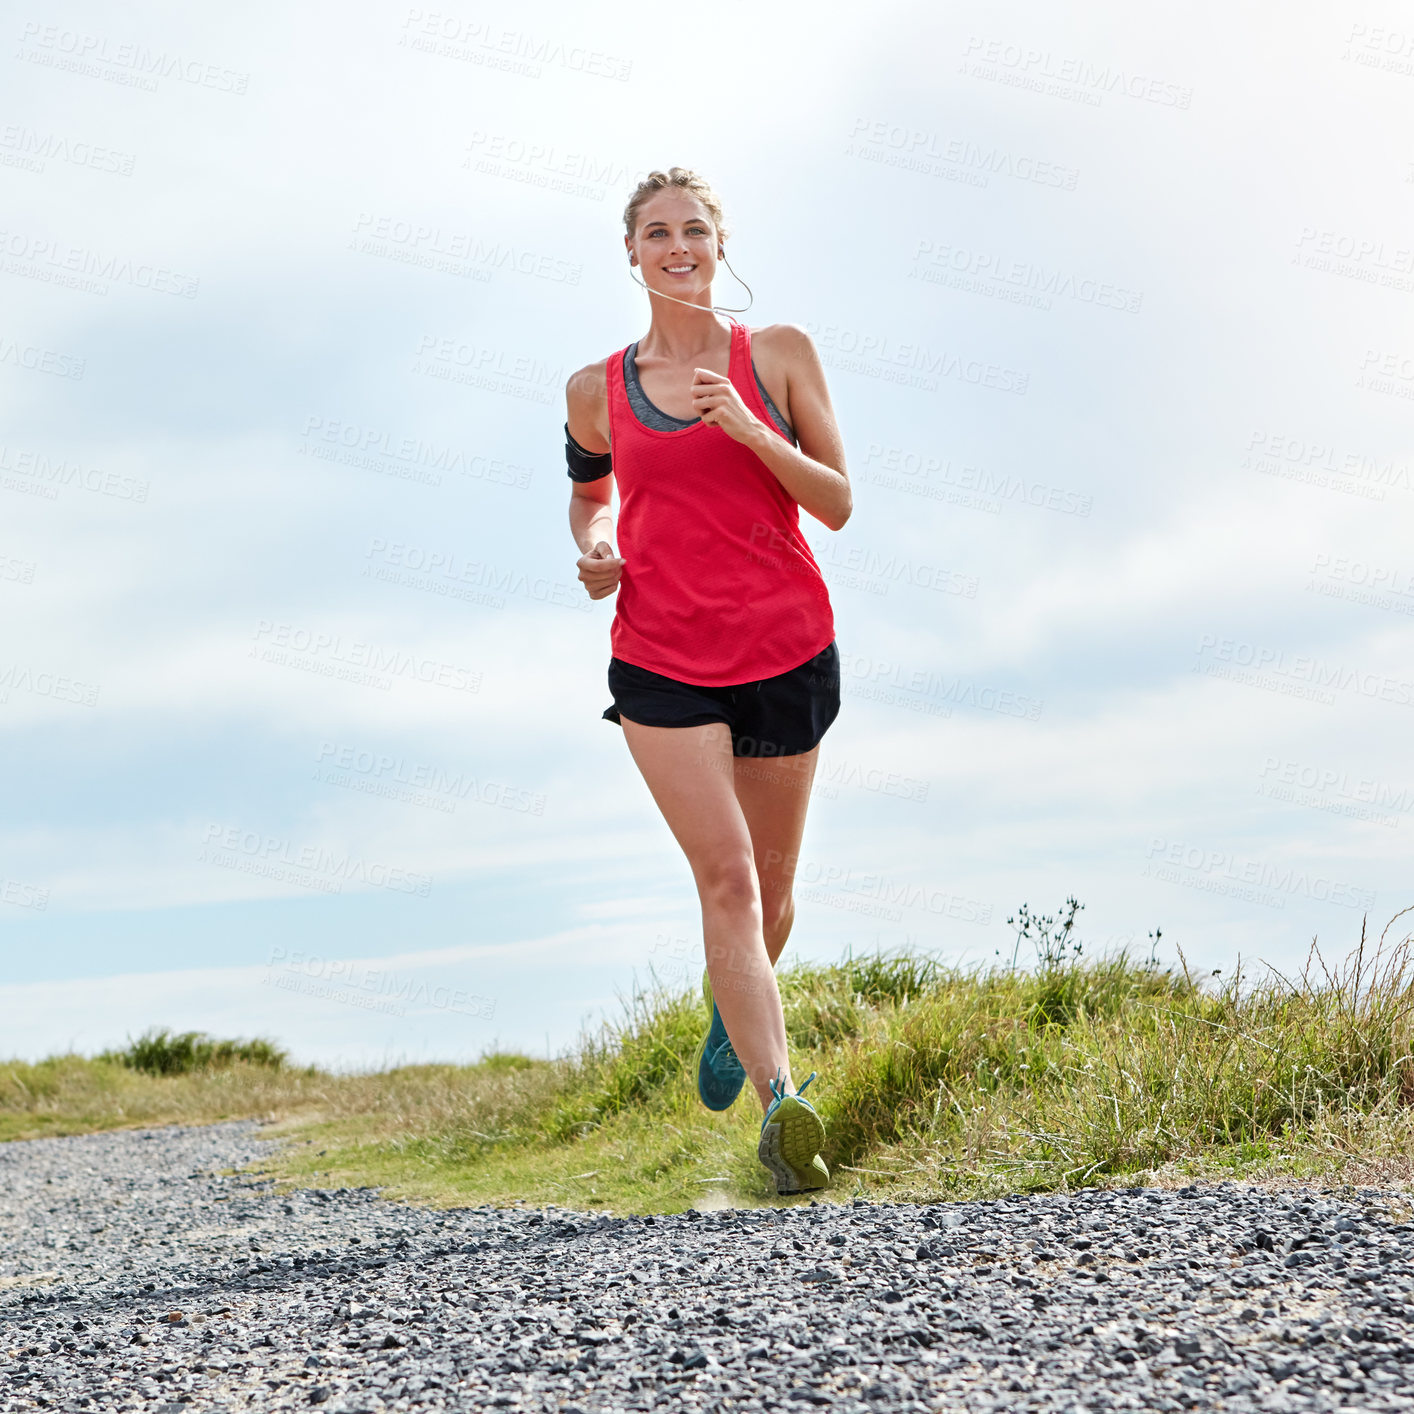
<point>781,716</point>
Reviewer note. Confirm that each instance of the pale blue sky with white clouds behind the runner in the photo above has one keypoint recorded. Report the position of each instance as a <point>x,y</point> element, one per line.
<point>300,699</point>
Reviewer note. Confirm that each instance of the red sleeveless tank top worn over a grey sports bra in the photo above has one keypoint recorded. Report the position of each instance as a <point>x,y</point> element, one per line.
<point>719,586</point>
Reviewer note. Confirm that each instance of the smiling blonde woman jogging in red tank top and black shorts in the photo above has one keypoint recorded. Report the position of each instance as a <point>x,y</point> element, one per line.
<point>725,671</point>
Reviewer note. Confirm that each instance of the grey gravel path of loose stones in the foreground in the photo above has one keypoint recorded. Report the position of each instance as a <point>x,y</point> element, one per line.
<point>132,1278</point>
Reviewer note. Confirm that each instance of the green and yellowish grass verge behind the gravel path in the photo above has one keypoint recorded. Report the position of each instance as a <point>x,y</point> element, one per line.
<point>935,1082</point>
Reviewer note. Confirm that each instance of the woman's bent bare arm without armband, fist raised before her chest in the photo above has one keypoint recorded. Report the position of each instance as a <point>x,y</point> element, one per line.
<point>814,473</point>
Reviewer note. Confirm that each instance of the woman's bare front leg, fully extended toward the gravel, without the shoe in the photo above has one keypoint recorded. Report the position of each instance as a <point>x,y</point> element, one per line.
<point>689,773</point>
